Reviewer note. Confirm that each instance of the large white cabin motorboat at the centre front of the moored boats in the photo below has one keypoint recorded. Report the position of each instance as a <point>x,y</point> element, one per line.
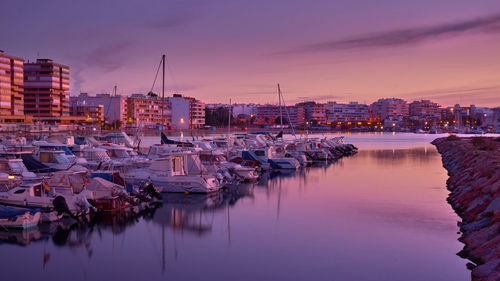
<point>169,174</point>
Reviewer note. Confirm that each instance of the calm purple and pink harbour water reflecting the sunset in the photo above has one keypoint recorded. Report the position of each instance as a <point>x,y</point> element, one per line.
<point>379,215</point>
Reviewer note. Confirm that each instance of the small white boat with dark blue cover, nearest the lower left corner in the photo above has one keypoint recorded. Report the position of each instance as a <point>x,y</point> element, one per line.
<point>19,218</point>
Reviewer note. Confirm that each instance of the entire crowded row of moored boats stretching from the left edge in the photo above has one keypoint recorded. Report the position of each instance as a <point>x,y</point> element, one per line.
<point>68,177</point>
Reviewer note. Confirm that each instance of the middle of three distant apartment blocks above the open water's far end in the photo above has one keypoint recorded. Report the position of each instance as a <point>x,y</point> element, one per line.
<point>390,109</point>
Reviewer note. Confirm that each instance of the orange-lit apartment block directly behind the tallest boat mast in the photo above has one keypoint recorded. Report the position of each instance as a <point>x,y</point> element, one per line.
<point>144,111</point>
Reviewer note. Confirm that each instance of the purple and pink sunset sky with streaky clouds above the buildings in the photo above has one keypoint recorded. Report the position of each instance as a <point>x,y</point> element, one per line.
<point>323,50</point>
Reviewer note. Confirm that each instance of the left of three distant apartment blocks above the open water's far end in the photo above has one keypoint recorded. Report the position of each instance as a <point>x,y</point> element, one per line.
<point>351,112</point>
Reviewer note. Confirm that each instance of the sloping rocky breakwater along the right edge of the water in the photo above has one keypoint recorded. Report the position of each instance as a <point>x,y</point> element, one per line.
<point>473,166</point>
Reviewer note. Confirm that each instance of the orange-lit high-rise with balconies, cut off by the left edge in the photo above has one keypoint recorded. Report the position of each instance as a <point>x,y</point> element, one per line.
<point>11,89</point>
